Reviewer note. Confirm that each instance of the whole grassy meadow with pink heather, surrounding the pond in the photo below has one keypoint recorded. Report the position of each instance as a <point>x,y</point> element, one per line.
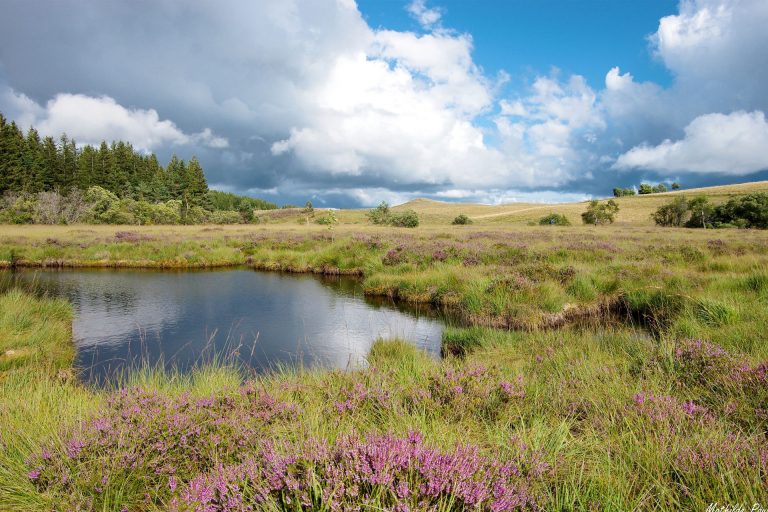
<point>619,367</point>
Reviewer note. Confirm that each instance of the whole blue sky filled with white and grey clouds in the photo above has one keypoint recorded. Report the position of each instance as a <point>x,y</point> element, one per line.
<point>350,103</point>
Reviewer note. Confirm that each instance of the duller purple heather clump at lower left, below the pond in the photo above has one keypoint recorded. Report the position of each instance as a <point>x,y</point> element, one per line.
<point>151,440</point>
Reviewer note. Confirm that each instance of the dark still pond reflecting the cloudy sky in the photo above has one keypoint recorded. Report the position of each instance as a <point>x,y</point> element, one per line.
<point>264,320</point>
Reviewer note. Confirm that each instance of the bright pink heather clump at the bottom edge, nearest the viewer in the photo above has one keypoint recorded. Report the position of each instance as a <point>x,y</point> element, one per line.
<point>380,472</point>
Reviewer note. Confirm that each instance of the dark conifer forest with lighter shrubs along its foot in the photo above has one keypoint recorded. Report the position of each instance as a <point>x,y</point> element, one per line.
<point>49,181</point>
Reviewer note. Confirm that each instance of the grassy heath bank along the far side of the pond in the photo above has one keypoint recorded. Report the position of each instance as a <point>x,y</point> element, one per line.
<point>520,277</point>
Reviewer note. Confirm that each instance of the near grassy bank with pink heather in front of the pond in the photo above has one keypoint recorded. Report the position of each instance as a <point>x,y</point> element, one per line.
<point>614,419</point>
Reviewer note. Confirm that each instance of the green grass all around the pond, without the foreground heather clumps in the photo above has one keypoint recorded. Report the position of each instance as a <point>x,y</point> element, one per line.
<point>599,316</point>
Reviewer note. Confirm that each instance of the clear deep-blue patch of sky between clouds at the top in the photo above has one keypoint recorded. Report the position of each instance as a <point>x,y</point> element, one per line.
<point>527,38</point>
